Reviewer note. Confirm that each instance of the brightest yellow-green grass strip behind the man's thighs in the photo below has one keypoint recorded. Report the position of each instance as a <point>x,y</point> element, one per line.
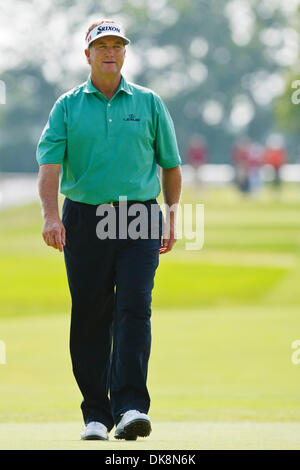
<point>42,284</point>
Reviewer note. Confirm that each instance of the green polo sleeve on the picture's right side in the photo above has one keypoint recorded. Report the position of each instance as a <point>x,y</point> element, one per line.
<point>166,149</point>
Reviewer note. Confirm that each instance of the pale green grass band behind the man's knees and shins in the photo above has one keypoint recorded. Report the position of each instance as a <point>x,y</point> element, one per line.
<point>210,364</point>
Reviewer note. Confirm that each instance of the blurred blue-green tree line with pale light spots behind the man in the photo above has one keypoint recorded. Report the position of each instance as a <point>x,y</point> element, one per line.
<point>220,66</point>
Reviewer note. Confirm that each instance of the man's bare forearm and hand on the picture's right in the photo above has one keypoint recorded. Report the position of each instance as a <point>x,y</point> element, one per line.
<point>171,186</point>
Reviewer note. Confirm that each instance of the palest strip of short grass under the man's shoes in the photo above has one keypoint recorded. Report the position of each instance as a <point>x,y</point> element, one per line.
<point>164,437</point>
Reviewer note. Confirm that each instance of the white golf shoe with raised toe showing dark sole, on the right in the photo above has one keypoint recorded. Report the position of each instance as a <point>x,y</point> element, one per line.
<point>133,424</point>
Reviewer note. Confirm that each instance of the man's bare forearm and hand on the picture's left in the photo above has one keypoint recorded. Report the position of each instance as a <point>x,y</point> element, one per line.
<point>54,233</point>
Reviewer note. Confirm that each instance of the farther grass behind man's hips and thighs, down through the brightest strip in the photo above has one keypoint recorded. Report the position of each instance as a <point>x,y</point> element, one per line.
<point>251,247</point>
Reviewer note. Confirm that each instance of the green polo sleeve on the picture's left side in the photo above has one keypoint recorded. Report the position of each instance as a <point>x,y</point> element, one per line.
<point>52,144</point>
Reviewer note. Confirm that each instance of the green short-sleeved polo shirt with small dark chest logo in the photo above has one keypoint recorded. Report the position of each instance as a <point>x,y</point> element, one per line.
<point>109,148</point>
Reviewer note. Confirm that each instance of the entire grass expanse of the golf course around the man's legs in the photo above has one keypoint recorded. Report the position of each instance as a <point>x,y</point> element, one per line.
<point>224,319</point>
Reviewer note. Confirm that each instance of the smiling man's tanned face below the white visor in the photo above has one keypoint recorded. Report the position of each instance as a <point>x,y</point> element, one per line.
<point>106,55</point>
